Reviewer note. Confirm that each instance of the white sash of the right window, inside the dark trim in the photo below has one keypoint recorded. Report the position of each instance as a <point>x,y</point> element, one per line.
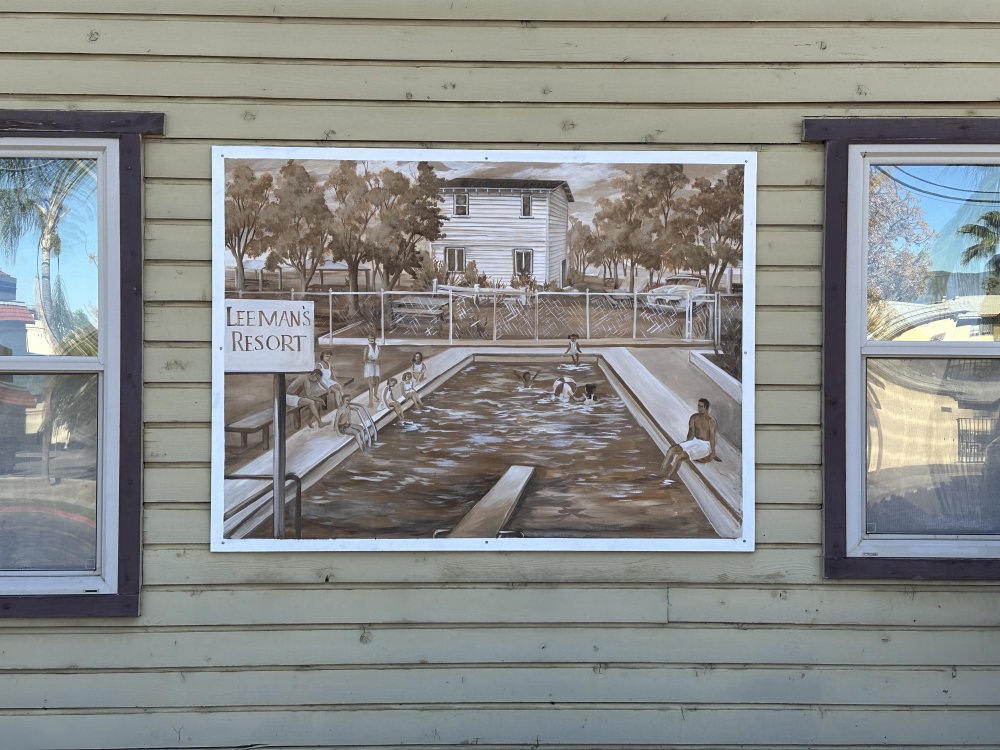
<point>859,349</point>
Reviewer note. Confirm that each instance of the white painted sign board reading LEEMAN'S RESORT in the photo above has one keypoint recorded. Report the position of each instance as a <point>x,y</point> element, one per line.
<point>269,336</point>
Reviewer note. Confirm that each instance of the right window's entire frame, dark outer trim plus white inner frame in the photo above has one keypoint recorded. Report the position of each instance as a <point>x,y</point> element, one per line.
<point>844,136</point>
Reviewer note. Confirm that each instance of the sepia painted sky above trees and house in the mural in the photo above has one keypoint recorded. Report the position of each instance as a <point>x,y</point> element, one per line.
<point>587,181</point>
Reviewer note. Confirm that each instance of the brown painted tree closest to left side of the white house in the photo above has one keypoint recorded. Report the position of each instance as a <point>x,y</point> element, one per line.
<point>408,212</point>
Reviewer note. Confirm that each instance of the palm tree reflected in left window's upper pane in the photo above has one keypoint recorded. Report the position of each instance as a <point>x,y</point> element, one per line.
<point>33,196</point>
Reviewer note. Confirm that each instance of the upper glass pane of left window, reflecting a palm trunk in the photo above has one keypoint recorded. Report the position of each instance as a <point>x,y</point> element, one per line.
<point>49,259</point>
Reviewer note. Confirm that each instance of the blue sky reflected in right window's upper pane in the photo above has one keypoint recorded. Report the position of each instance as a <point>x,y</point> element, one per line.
<point>950,196</point>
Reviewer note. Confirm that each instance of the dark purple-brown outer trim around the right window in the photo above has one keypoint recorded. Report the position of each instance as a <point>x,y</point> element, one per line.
<point>838,135</point>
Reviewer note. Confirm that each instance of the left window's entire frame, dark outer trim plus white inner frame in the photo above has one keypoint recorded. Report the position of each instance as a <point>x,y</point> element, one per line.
<point>68,595</point>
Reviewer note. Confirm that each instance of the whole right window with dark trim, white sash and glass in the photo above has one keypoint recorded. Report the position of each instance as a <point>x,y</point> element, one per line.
<point>911,367</point>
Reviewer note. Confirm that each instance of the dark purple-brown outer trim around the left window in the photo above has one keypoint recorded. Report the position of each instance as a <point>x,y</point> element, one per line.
<point>127,127</point>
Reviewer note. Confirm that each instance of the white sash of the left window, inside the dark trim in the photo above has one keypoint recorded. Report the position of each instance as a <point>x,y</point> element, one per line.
<point>105,578</point>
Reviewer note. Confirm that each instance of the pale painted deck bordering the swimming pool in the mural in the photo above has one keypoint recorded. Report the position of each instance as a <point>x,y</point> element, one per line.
<point>654,381</point>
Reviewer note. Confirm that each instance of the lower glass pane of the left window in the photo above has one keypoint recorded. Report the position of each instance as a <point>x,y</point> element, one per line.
<point>48,472</point>
